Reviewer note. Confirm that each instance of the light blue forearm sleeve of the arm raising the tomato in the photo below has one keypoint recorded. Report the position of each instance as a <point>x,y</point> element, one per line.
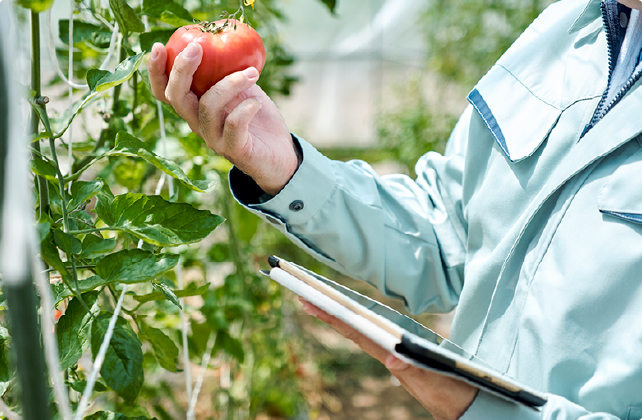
<point>406,237</point>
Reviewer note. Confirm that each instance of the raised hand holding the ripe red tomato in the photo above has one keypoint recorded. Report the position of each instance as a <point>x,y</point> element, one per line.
<point>235,117</point>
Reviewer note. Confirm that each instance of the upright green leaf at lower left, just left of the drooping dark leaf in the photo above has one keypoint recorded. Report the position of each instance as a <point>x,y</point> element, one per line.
<point>73,329</point>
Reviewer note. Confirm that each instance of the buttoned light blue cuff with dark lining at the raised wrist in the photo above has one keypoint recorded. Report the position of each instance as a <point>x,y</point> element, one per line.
<point>307,191</point>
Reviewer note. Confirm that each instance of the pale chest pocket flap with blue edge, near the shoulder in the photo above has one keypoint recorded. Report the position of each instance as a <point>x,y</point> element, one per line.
<point>518,119</point>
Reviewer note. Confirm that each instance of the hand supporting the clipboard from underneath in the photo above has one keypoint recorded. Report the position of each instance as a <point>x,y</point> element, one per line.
<point>444,397</point>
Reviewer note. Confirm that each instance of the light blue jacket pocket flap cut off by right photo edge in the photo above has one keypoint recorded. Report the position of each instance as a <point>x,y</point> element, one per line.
<point>621,195</point>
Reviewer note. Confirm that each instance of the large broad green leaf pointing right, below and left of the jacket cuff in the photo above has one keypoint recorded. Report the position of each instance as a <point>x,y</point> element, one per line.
<point>157,221</point>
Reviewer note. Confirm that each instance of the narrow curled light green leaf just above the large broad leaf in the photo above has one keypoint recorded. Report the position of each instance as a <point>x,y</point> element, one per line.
<point>128,145</point>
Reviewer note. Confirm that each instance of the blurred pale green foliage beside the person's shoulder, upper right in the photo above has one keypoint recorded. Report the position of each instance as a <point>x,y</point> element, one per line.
<point>464,39</point>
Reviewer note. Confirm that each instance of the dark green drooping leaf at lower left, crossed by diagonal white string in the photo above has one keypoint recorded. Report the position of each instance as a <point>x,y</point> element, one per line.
<point>122,369</point>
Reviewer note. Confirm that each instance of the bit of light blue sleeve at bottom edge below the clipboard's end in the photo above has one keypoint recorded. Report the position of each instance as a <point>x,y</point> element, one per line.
<point>489,407</point>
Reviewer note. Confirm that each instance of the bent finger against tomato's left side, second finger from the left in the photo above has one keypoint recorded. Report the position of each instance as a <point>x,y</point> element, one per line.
<point>178,91</point>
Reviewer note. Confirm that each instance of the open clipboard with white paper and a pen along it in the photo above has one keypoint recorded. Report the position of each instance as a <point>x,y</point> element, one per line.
<point>401,335</point>
